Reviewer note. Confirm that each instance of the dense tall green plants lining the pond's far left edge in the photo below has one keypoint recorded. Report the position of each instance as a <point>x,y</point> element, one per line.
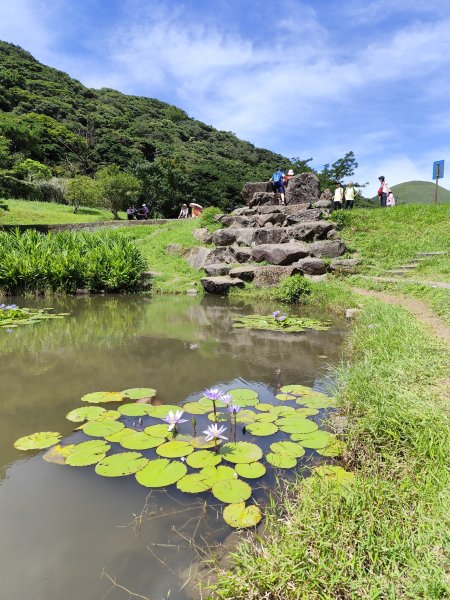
<point>64,262</point>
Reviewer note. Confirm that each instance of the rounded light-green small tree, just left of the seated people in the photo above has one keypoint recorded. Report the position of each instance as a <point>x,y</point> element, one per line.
<point>117,189</point>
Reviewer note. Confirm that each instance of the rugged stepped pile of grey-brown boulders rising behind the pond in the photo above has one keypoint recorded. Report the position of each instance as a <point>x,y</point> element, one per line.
<point>290,239</point>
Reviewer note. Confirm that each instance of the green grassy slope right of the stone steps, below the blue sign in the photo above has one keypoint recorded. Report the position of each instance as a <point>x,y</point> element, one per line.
<point>387,238</point>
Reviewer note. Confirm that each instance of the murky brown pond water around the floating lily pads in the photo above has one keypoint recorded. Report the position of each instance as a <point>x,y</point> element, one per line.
<point>65,530</point>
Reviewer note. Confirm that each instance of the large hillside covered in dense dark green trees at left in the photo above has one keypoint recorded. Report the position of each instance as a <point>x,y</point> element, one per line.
<point>48,117</point>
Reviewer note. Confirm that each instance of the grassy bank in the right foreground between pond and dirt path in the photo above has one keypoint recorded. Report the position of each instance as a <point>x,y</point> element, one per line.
<point>384,537</point>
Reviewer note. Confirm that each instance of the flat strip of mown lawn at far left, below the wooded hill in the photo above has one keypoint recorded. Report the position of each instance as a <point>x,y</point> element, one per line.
<point>27,212</point>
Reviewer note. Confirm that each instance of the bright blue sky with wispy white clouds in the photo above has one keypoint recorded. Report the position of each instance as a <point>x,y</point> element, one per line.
<point>303,78</point>
